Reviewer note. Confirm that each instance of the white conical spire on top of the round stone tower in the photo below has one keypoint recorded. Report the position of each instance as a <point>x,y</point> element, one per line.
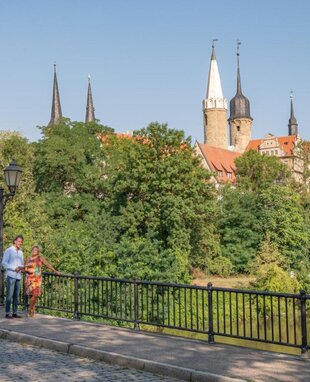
<point>214,98</point>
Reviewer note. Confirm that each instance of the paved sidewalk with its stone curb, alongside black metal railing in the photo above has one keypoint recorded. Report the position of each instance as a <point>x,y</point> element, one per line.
<point>162,354</point>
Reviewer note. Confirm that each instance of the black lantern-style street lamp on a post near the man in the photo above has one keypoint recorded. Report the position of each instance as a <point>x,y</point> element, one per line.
<point>12,175</point>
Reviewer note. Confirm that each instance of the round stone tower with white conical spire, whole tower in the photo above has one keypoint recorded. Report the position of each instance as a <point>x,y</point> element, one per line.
<point>215,108</point>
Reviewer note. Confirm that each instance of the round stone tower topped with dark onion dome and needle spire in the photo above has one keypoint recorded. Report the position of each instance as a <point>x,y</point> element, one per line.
<point>240,120</point>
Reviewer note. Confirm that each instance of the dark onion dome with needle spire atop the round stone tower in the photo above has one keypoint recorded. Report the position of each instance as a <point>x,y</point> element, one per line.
<point>239,105</point>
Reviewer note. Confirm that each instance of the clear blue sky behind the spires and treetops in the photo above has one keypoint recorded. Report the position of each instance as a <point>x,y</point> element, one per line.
<point>149,61</point>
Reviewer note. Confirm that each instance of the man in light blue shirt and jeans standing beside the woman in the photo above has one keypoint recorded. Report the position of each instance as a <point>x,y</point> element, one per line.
<point>13,262</point>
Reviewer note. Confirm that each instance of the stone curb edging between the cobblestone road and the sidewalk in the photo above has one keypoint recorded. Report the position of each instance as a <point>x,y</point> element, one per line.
<point>168,370</point>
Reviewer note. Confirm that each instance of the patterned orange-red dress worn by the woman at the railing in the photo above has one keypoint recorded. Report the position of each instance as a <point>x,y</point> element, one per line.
<point>33,267</point>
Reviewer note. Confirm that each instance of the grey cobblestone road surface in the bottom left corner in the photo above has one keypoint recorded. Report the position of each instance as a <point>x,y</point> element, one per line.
<point>27,363</point>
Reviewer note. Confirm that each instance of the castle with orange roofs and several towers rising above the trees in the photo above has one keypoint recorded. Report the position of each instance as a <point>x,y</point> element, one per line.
<point>214,152</point>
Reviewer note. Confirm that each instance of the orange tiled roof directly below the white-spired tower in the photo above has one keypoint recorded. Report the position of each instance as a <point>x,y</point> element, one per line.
<point>220,160</point>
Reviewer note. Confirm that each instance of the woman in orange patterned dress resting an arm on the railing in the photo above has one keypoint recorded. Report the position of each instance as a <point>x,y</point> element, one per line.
<point>33,269</point>
